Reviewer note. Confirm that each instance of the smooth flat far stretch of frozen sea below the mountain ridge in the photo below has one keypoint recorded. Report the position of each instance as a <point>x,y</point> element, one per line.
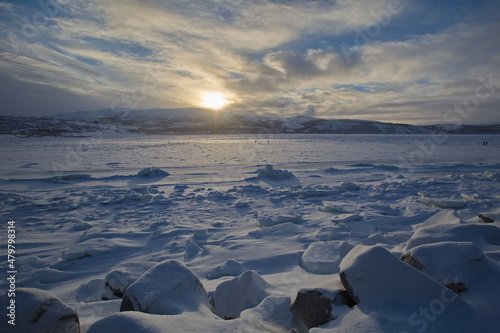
<point>98,156</point>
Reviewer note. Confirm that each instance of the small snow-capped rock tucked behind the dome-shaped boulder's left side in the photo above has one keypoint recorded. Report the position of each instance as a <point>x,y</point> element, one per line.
<point>122,276</point>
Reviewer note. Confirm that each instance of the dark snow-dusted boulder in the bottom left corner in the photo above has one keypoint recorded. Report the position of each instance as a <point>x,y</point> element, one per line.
<point>37,311</point>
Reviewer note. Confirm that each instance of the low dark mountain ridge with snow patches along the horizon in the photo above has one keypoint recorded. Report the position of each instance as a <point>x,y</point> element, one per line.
<point>202,121</point>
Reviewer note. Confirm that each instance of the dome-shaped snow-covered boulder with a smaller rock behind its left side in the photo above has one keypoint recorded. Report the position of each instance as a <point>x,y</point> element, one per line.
<point>167,288</point>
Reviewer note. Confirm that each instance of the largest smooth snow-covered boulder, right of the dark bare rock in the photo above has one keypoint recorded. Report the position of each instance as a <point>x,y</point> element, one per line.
<point>394,297</point>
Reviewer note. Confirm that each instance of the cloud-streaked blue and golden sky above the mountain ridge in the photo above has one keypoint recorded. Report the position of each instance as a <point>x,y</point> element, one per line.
<point>402,61</point>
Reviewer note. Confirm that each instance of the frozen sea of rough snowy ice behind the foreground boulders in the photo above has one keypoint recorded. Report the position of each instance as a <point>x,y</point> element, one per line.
<point>84,206</point>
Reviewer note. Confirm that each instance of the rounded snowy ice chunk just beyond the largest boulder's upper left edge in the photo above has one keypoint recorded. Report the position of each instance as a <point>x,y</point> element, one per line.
<point>324,257</point>
